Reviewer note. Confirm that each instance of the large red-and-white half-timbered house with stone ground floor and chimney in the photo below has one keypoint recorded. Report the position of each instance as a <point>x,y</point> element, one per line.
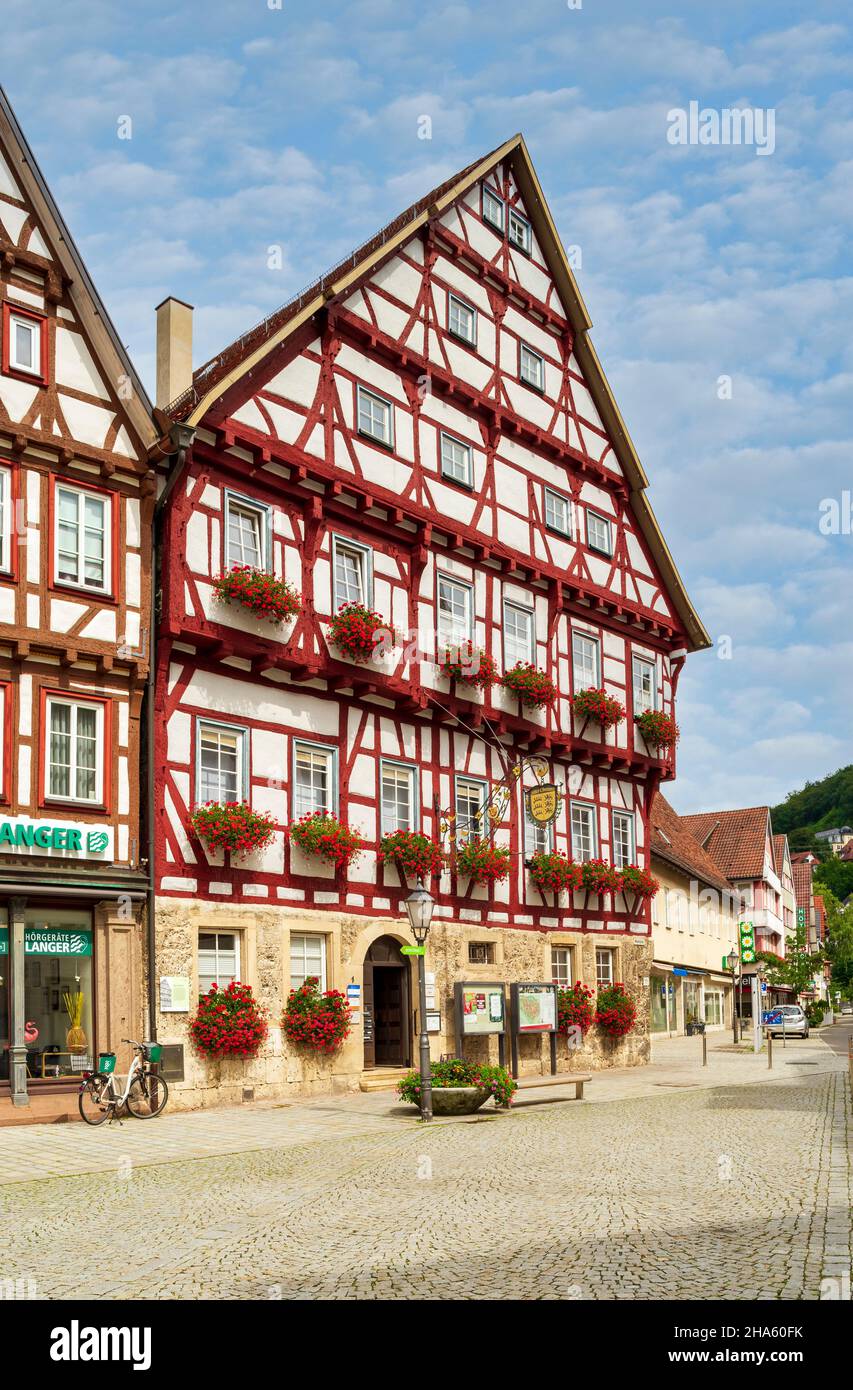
<point>426,433</point>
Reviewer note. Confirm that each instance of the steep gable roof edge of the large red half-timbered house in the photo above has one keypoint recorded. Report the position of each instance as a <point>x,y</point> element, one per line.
<point>241,358</point>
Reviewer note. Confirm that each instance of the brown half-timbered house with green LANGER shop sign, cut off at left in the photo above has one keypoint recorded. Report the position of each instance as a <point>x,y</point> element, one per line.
<point>76,512</point>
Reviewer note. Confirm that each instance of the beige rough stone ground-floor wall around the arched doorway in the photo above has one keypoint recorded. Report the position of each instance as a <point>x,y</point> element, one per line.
<point>269,949</point>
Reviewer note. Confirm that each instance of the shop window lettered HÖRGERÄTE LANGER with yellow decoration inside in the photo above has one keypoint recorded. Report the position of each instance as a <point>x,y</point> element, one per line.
<point>59,1004</point>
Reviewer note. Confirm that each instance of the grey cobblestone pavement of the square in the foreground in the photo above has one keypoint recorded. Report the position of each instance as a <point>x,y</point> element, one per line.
<point>737,1192</point>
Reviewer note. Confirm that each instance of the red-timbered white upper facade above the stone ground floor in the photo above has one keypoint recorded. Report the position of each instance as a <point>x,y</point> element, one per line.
<point>543,519</point>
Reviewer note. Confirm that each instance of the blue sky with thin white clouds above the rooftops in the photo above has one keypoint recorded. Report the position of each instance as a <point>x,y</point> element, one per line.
<point>299,127</point>
